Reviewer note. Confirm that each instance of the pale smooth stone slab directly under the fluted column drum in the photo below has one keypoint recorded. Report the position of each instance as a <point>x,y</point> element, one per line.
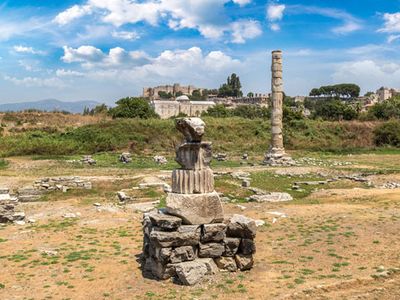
<point>195,208</point>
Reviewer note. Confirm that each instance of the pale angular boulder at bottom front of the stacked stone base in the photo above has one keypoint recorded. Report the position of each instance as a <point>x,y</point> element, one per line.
<point>191,272</point>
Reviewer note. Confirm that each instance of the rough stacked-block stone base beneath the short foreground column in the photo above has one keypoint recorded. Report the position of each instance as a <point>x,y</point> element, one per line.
<point>188,253</point>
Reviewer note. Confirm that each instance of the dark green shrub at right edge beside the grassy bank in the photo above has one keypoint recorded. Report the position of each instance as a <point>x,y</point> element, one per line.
<point>388,134</point>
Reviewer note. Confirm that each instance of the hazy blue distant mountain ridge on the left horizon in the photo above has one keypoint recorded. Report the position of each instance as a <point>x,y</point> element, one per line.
<point>49,105</point>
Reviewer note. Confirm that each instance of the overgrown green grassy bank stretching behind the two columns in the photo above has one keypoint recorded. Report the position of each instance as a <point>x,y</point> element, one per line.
<point>231,135</point>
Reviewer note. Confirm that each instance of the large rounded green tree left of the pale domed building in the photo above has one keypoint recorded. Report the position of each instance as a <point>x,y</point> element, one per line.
<point>131,107</point>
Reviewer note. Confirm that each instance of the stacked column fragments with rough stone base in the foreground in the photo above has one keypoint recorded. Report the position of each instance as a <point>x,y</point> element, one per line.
<point>192,238</point>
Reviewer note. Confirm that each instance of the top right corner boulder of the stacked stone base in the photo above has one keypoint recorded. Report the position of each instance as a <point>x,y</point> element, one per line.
<point>241,227</point>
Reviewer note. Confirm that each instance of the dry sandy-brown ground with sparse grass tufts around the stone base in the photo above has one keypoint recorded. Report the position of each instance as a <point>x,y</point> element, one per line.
<point>339,243</point>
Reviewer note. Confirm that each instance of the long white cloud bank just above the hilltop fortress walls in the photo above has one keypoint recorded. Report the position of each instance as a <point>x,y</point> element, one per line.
<point>120,66</point>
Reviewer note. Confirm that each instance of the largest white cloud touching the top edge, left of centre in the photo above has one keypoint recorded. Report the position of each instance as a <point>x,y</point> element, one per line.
<point>207,16</point>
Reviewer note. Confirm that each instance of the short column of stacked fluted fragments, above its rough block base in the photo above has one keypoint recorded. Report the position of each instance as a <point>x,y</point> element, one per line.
<point>193,197</point>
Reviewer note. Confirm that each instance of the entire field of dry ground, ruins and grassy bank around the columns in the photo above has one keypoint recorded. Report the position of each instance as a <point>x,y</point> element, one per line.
<point>82,236</point>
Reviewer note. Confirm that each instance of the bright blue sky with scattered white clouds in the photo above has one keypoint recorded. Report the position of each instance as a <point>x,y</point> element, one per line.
<point>104,50</point>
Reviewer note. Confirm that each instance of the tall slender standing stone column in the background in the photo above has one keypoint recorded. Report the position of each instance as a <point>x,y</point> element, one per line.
<point>276,155</point>
